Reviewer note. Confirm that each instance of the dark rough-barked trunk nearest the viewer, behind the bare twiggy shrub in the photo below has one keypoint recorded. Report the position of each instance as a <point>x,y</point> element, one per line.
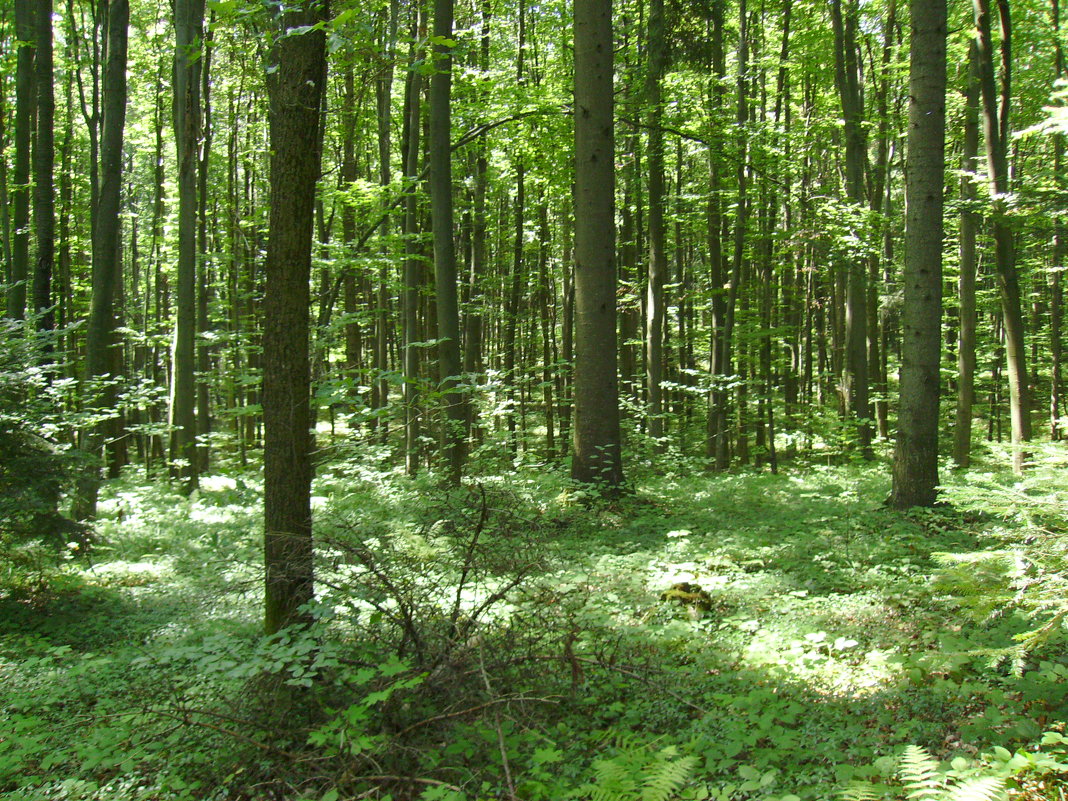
<point>296,76</point>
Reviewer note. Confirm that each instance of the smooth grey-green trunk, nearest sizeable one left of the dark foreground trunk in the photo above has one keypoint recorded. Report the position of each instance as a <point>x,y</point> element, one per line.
<point>189,38</point>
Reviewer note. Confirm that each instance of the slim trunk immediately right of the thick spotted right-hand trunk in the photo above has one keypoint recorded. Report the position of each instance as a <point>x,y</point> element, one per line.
<point>969,229</point>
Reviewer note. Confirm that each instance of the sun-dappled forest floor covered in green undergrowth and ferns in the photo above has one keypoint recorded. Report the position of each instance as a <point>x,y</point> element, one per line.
<point>747,636</point>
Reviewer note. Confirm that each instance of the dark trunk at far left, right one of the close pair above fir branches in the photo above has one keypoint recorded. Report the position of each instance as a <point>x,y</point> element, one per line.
<point>44,158</point>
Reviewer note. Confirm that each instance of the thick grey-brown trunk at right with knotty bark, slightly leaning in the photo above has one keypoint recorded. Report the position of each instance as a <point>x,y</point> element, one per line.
<point>916,457</point>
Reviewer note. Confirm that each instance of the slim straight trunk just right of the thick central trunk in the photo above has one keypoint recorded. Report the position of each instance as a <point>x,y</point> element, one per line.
<point>656,55</point>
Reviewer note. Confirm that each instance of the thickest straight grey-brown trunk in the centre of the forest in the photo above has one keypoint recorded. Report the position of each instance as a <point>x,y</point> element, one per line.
<point>596,457</point>
